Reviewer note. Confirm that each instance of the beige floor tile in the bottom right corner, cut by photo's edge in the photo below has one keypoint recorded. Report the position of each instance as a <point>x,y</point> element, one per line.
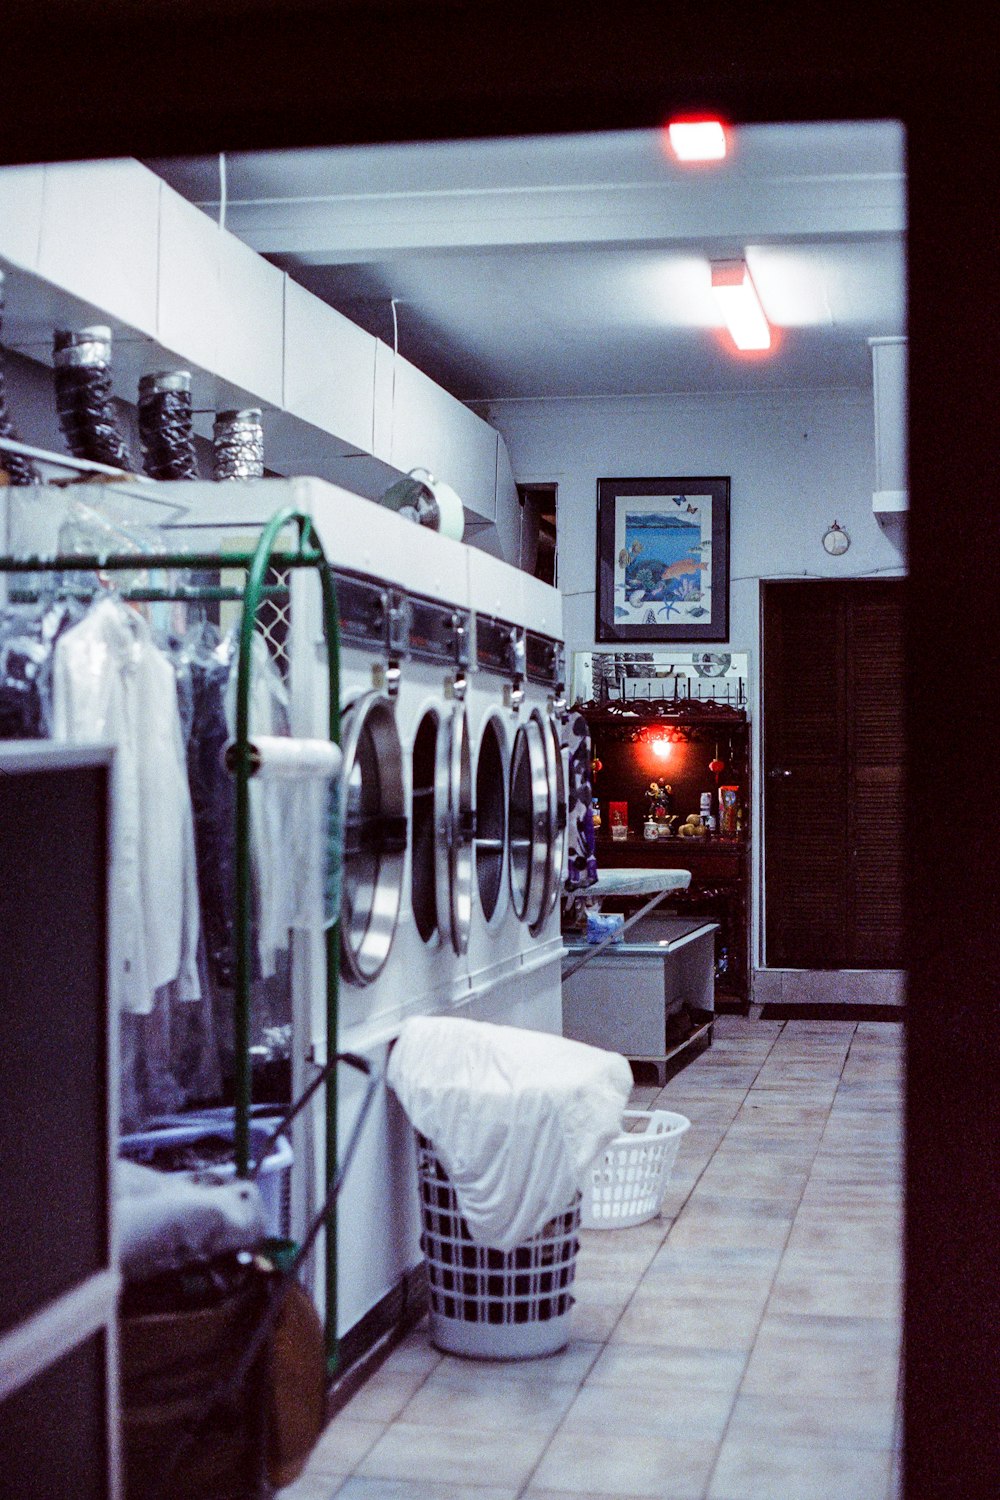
<point>759,1471</point>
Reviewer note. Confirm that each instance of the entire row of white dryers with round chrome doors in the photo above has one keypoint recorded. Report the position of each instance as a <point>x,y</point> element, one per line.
<point>455,811</point>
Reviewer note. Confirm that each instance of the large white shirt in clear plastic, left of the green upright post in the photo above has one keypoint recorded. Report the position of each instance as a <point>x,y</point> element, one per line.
<point>113,685</point>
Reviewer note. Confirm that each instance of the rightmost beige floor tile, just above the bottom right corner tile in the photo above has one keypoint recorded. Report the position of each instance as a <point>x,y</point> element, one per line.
<point>788,1417</point>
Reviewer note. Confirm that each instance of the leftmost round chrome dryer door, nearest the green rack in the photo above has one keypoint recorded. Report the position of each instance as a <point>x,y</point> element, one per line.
<point>374,803</point>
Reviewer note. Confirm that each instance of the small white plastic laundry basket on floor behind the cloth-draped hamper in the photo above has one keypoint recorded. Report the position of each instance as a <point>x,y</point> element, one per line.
<point>627,1183</point>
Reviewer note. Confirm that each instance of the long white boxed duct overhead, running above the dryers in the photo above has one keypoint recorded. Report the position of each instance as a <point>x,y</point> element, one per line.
<point>109,242</point>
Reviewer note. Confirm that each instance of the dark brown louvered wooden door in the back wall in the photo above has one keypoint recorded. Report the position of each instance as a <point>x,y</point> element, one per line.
<point>833,761</point>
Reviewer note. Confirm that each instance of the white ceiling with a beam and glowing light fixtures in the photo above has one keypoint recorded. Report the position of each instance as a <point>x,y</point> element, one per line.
<point>576,266</point>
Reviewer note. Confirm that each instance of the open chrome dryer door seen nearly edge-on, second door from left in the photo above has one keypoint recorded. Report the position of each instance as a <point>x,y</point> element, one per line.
<point>455,823</point>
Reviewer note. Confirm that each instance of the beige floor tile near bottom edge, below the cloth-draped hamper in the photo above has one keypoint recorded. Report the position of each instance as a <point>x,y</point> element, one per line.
<point>416,1453</point>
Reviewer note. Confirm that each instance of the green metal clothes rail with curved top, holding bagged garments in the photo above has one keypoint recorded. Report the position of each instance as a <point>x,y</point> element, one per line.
<point>310,554</point>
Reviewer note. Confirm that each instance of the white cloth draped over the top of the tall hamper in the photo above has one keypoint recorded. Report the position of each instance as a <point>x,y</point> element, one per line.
<point>515,1117</point>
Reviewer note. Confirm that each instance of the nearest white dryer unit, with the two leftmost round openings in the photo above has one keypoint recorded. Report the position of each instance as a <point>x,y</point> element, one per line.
<point>407,764</point>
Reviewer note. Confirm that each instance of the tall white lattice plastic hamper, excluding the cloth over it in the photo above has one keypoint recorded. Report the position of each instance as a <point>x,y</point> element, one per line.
<point>494,1304</point>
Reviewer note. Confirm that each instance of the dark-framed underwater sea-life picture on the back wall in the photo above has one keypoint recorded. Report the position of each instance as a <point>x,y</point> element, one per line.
<point>662,560</point>
